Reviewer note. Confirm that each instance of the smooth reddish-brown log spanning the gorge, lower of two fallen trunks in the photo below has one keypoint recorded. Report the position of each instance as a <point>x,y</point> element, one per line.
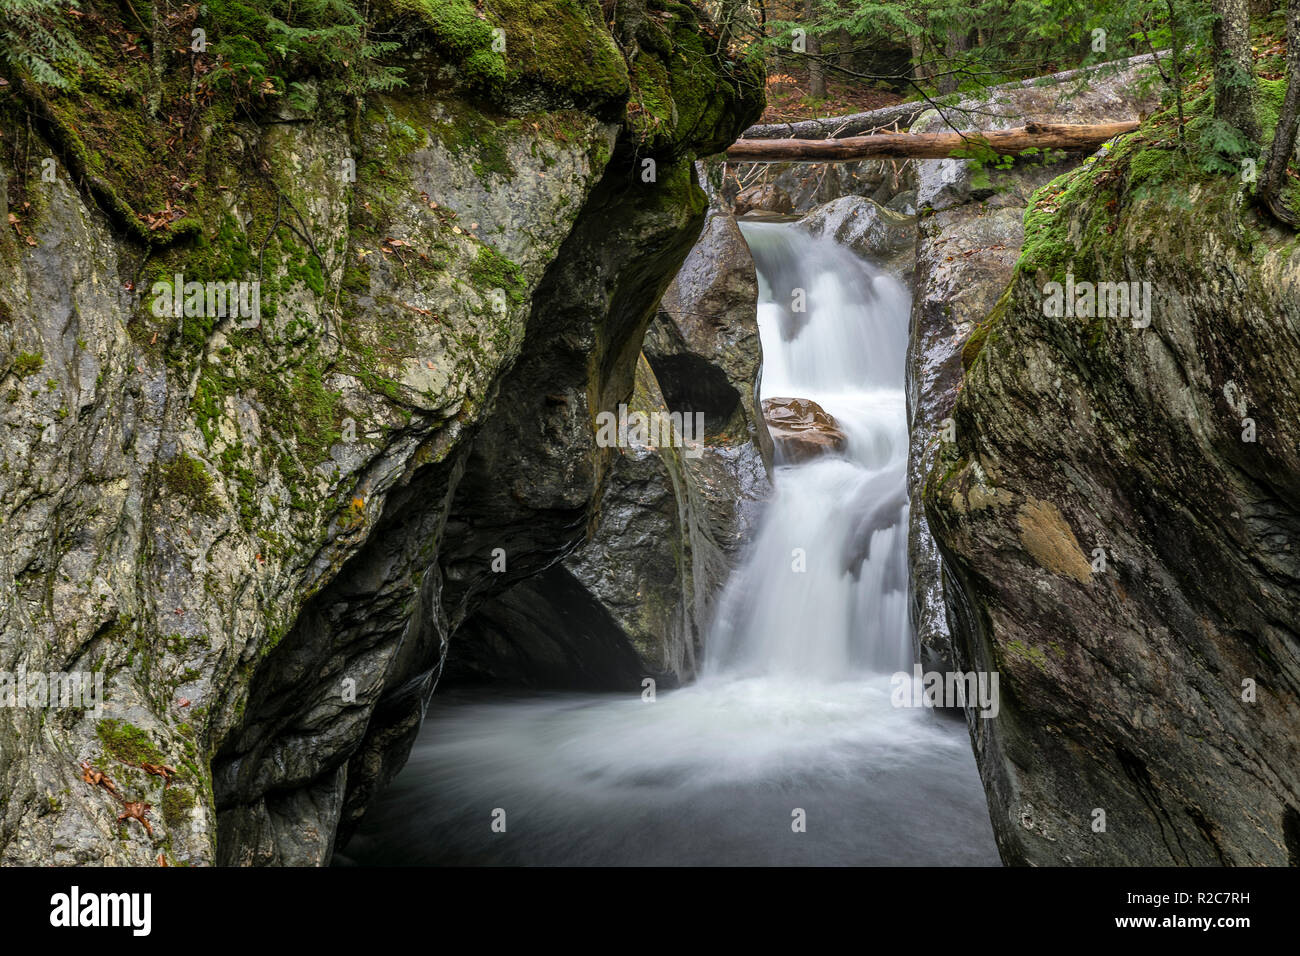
<point>1013,142</point>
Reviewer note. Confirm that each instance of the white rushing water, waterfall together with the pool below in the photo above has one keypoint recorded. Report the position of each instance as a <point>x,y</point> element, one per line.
<point>794,706</point>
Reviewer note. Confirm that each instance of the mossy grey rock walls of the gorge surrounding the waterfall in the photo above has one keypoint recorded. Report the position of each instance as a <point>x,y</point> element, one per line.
<point>279,539</point>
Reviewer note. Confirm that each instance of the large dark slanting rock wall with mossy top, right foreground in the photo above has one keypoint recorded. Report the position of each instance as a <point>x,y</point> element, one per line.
<point>1119,518</point>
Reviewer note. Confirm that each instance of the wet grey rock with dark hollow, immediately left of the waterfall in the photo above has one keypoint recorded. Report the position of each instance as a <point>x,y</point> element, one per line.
<point>671,520</point>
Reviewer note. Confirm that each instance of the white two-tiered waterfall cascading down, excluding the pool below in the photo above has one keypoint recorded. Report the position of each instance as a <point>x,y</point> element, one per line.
<point>835,331</point>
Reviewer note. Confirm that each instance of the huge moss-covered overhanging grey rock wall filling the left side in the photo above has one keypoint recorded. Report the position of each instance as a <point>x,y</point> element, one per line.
<point>265,535</point>
